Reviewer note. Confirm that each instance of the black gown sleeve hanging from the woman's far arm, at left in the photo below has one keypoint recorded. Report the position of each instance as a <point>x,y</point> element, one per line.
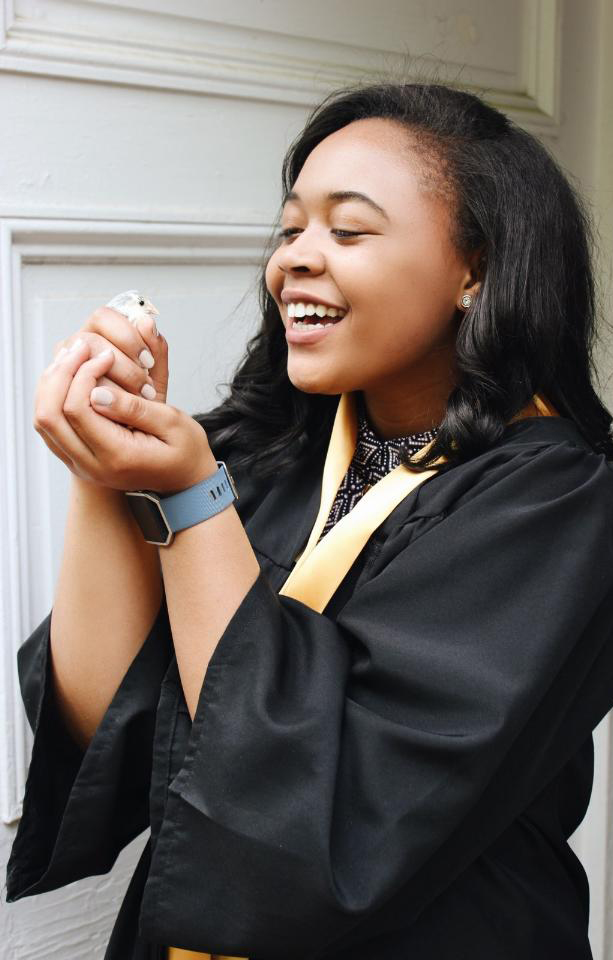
<point>81,807</point>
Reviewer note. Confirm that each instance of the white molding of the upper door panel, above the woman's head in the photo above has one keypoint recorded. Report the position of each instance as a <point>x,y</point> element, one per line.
<point>116,44</point>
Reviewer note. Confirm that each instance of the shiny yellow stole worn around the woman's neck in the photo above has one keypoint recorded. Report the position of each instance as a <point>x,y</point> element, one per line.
<point>321,567</point>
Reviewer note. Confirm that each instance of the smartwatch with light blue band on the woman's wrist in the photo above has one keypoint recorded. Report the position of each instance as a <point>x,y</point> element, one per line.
<point>160,517</point>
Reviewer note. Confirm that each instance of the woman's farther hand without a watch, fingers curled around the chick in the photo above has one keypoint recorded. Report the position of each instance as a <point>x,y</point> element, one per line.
<point>103,329</point>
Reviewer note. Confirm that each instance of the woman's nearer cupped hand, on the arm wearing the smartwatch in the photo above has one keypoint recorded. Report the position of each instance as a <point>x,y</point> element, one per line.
<point>131,444</point>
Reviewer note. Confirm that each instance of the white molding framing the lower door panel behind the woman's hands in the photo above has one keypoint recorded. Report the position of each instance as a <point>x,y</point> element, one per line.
<point>23,241</point>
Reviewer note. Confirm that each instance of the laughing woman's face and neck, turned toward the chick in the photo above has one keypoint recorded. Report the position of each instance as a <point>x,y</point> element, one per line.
<point>397,275</point>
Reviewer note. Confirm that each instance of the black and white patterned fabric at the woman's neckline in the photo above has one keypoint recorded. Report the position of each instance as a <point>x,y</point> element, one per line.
<point>373,458</point>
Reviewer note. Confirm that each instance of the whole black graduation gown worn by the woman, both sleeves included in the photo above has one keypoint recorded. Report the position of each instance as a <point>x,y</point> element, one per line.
<point>395,777</point>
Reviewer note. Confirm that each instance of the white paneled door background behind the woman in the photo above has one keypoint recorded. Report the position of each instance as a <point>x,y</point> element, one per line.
<point>142,144</point>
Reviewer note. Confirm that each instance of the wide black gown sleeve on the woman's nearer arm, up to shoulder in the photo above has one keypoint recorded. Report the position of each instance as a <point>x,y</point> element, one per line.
<point>340,773</point>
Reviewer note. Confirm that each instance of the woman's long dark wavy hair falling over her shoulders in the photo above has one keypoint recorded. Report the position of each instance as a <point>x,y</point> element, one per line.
<point>531,327</point>
